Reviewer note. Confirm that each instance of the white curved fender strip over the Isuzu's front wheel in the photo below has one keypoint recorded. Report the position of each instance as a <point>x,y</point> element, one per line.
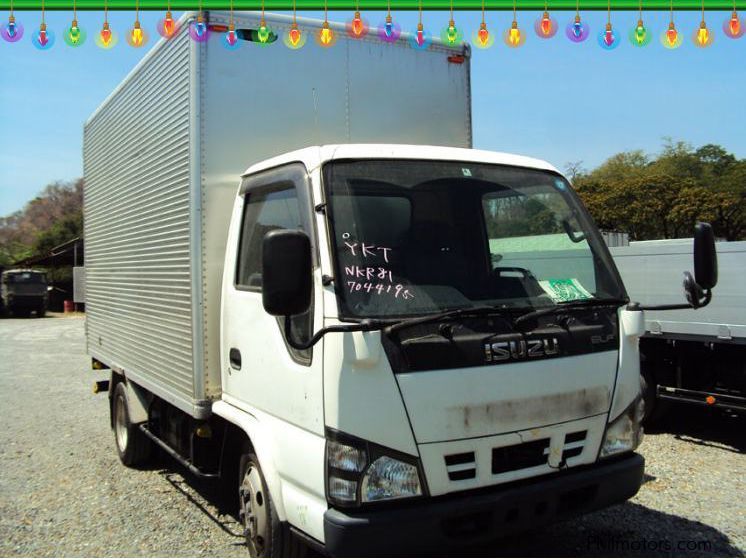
<point>263,448</point>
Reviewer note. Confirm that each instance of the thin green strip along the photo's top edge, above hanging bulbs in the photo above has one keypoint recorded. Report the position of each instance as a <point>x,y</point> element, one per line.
<point>348,5</point>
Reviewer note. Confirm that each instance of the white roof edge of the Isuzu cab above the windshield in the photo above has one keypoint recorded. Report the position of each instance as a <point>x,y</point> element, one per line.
<point>314,156</point>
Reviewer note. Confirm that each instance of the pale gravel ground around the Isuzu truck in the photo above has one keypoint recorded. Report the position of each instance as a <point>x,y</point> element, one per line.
<point>63,491</point>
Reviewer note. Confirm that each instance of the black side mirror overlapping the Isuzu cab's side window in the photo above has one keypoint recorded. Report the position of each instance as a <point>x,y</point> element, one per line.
<point>286,272</point>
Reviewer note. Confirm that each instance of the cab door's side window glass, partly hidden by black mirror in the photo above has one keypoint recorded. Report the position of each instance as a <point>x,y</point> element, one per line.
<point>263,212</point>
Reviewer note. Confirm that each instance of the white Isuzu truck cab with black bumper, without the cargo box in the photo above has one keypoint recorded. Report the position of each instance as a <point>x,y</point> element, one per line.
<point>424,345</point>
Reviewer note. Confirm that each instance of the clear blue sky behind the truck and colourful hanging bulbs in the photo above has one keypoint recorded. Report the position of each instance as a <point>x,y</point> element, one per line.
<point>550,99</point>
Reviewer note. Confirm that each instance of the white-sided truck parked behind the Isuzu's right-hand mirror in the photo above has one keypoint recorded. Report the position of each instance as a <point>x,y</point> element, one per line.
<point>690,357</point>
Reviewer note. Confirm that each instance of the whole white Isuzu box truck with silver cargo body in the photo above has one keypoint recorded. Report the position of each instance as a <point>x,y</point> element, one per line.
<point>384,342</point>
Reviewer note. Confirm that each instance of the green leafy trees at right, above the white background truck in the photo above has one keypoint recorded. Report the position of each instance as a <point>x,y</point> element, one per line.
<point>663,197</point>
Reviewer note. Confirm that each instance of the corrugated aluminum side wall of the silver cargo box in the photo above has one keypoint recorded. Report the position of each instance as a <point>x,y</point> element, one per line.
<point>138,224</point>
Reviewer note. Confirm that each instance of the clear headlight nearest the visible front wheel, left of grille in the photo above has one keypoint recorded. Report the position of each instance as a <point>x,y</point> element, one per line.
<point>362,472</point>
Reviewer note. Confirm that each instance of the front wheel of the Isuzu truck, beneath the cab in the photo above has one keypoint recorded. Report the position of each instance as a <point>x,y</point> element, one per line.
<point>266,535</point>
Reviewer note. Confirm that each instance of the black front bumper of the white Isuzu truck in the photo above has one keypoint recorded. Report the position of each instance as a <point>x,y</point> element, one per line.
<point>478,517</point>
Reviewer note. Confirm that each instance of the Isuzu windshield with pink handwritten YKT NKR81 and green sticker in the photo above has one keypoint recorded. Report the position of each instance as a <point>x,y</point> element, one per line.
<point>418,237</point>
